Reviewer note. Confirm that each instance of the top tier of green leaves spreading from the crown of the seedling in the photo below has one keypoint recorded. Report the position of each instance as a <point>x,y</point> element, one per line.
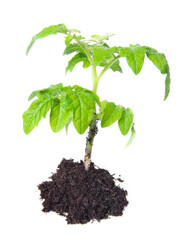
<point>95,51</point>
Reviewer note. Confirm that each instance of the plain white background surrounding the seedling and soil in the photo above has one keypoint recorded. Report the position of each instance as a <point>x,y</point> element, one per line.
<point>154,167</point>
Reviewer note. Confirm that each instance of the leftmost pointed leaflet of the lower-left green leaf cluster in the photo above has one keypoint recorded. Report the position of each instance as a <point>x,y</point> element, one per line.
<point>37,110</point>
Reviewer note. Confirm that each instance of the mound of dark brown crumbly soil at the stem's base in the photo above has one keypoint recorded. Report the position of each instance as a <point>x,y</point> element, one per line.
<point>82,196</point>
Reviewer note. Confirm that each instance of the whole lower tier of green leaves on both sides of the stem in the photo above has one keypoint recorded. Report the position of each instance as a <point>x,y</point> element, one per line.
<point>77,104</point>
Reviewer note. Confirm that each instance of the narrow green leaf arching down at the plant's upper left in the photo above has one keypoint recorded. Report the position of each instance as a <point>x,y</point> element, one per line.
<point>54,29</point>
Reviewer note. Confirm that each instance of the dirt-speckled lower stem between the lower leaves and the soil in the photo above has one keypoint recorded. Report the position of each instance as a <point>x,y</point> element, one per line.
<point>89,143</point>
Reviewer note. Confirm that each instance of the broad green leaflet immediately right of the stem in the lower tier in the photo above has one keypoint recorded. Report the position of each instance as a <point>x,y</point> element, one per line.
<point>111,114</point>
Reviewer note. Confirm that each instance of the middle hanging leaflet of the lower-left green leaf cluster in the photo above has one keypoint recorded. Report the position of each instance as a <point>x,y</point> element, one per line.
<point>59,115</point>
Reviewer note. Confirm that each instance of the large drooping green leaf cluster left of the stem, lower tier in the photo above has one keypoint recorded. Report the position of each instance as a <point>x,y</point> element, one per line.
<point>65,104</point>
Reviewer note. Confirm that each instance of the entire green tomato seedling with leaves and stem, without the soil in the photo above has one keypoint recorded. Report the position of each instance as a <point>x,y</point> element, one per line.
<point>78,104</point>
